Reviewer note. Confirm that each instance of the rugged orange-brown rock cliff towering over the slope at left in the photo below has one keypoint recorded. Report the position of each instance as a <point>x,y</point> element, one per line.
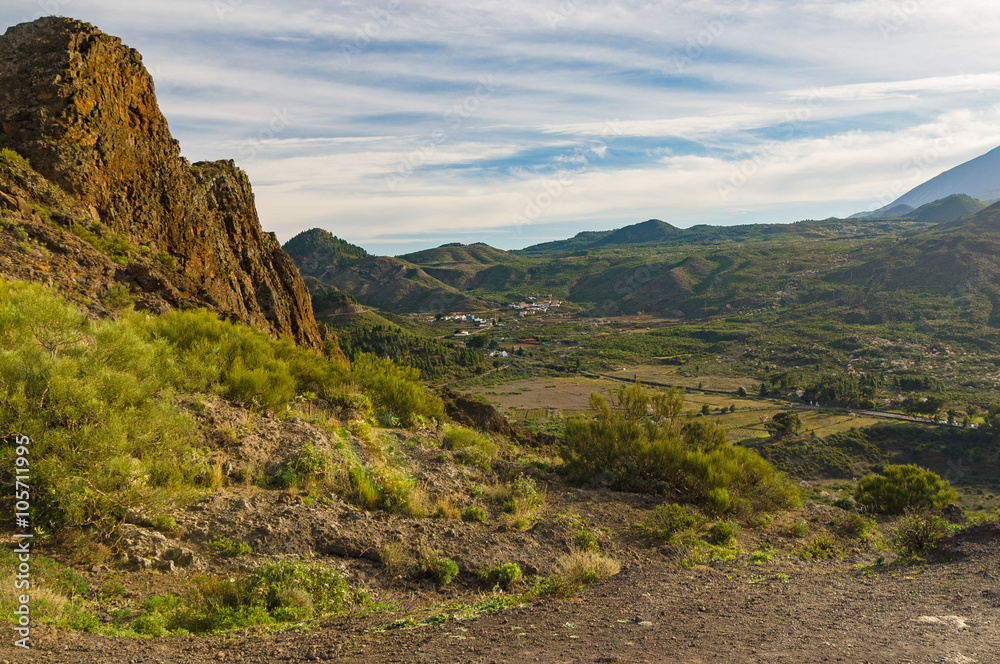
<point>80,106</point>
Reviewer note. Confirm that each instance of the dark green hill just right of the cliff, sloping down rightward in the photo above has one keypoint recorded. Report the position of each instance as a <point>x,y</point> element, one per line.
<point>392,284</point>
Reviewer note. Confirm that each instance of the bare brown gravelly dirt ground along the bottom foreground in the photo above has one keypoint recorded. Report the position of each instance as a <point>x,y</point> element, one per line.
<point>945,611</point>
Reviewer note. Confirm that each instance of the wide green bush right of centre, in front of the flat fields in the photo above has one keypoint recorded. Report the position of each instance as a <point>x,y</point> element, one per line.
<point>638,439</point>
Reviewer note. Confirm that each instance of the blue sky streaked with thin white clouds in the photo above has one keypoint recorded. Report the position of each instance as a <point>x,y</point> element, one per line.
<point>400,125</point>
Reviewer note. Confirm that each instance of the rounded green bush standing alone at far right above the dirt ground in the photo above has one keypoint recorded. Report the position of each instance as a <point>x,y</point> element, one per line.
<point>901,488</point>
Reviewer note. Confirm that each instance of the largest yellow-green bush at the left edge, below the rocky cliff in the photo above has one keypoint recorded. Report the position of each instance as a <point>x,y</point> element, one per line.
<point>95,400</point>
